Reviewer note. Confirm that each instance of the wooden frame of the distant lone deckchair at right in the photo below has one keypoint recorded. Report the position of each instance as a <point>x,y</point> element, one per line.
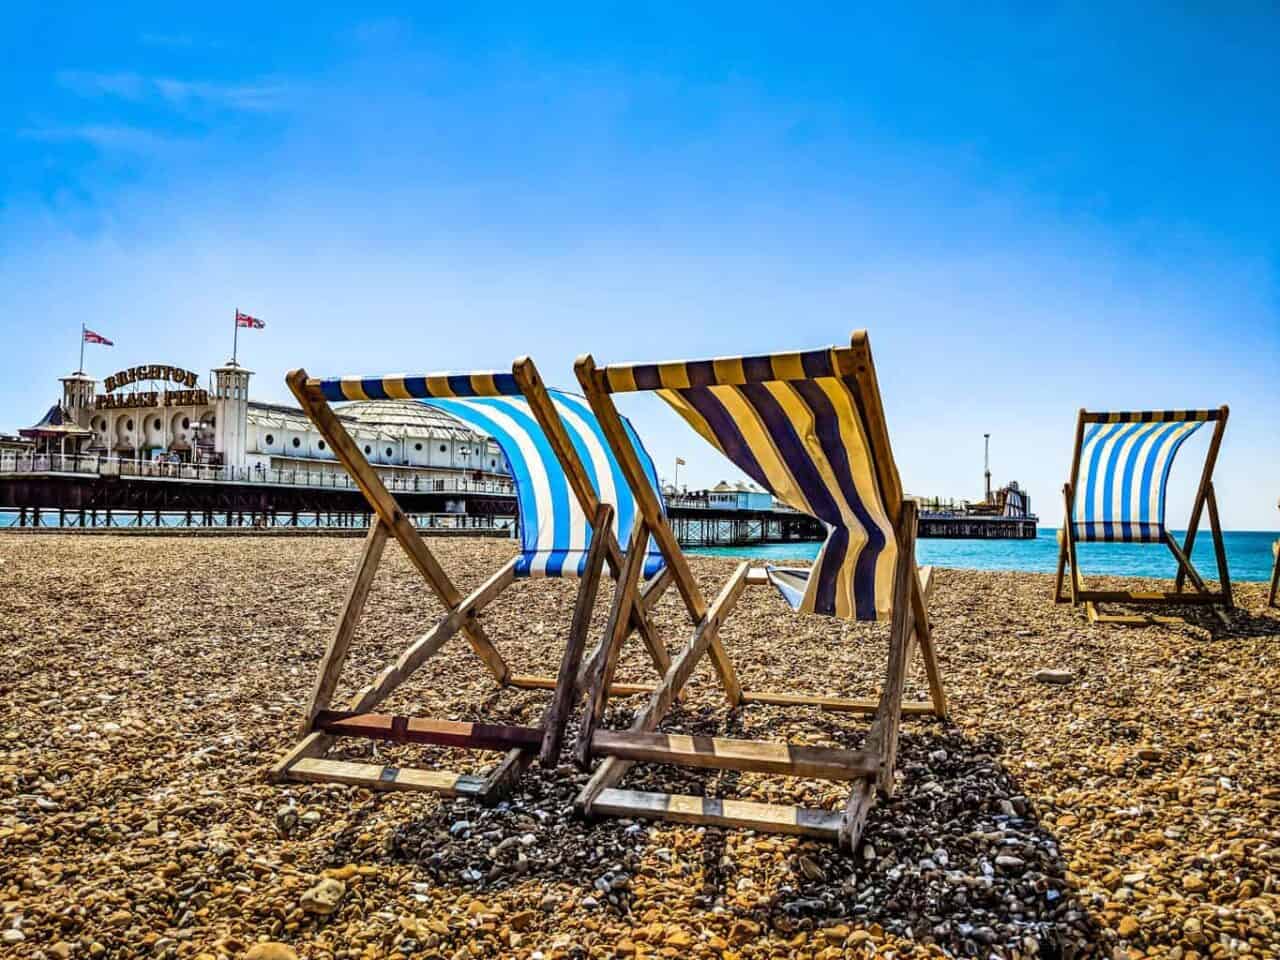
<point>1205,497</point>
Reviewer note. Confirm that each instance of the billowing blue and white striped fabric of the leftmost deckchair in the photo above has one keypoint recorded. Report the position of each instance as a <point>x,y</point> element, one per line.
<point>555,533</point>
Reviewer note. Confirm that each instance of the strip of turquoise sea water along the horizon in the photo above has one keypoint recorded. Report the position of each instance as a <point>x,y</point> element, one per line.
<point>1249,555</point>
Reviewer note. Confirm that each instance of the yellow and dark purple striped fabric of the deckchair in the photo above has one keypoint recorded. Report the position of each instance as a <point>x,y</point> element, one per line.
<point>798,428</point>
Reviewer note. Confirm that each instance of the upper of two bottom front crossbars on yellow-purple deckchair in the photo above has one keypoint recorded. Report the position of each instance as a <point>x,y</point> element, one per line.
<point>721,753</point>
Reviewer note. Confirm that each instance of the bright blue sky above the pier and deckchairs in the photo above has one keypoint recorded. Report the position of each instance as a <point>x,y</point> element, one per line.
<point>1028,212</point>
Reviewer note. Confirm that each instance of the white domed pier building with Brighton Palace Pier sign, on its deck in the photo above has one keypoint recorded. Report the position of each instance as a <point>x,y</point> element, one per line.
<point>159,441</point>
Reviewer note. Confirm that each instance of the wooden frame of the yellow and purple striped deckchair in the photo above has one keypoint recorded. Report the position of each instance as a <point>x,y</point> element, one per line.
<point>868,769</point>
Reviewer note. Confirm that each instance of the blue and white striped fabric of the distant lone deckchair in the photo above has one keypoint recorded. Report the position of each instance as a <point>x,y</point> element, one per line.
<point>1124,472</point>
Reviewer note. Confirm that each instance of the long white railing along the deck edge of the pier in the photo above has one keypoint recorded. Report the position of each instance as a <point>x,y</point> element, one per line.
<point>397,482</point>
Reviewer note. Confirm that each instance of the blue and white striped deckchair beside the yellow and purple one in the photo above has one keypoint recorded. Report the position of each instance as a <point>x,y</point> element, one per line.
<point>575,509</point>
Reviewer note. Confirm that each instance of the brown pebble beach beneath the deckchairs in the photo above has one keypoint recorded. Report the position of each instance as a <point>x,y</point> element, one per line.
<point>148,685</point>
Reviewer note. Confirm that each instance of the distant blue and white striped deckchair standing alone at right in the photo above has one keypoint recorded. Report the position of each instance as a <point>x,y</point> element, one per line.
<point>1117,495</point>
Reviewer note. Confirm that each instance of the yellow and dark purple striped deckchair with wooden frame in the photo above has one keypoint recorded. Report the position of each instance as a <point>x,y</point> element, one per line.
<point>810,427</point>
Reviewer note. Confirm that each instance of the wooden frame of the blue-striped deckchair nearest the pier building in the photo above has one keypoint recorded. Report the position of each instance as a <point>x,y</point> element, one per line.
<point>307,761</point>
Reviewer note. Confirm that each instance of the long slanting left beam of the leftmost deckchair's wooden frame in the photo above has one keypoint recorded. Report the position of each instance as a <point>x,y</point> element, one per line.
<point>321,414</point>
